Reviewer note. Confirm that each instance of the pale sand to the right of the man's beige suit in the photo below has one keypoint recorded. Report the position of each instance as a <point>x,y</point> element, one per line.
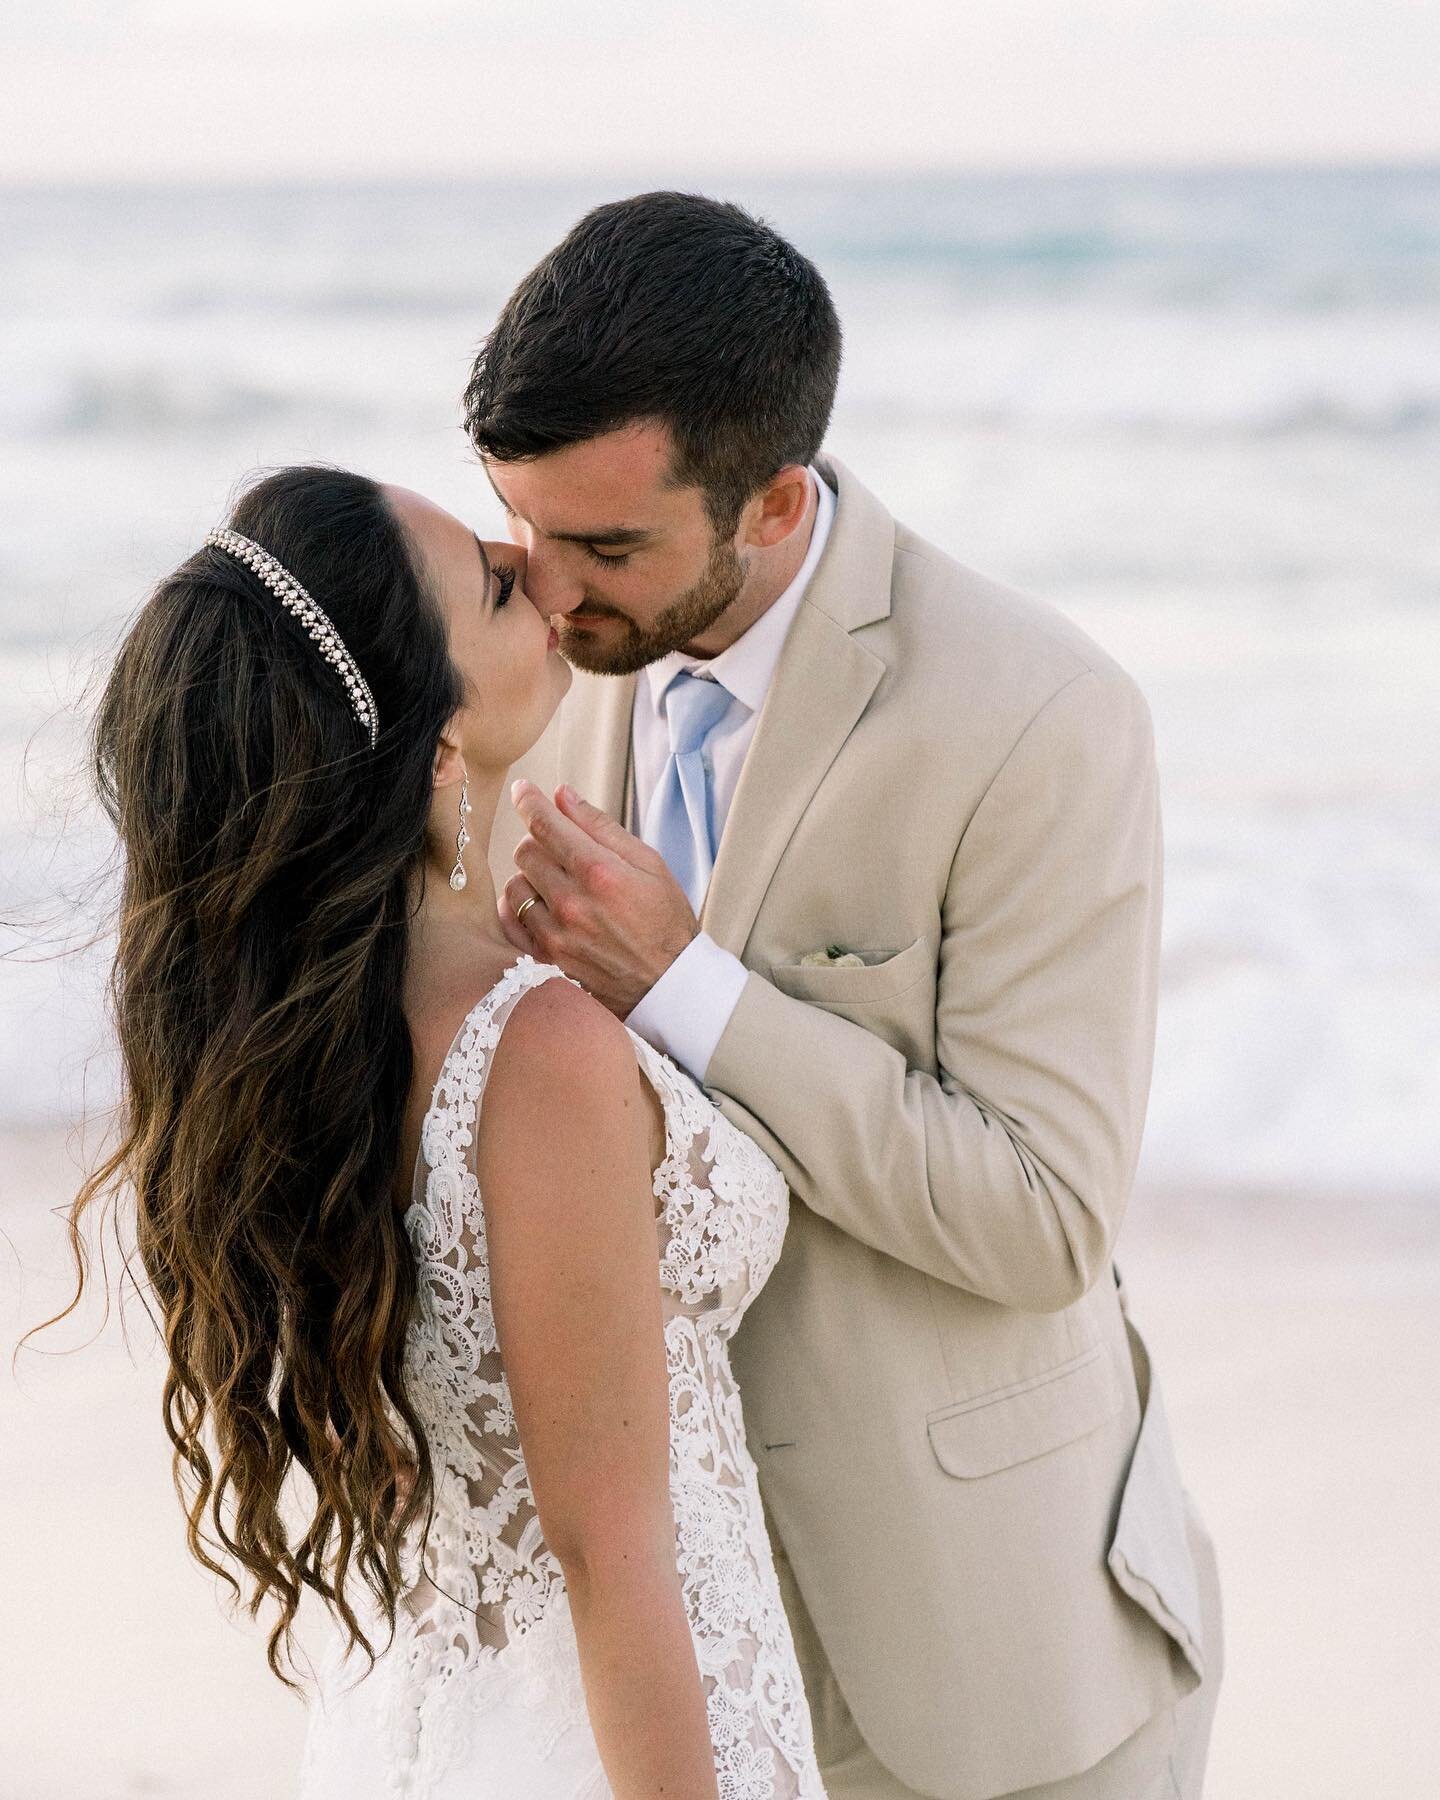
<point>1299,1342</point>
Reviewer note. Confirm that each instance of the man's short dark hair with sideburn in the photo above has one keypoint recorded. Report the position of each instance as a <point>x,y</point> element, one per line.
<point>674,309</point>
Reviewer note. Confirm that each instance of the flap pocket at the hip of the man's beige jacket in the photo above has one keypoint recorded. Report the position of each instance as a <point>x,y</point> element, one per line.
<point>1025,1421</point>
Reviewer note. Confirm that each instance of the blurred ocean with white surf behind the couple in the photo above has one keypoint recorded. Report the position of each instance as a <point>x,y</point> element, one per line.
<point>1201,413</point>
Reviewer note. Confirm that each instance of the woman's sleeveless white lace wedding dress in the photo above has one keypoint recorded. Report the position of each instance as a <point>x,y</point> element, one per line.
<point>480,1696</point>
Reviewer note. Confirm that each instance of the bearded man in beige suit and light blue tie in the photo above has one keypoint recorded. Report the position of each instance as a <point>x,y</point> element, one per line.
<point>917,818</point>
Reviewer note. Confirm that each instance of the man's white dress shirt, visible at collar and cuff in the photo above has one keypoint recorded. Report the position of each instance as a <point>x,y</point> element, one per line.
<point>688,1009</point>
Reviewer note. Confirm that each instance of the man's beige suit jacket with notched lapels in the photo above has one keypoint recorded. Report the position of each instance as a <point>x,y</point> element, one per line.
<point>955,1426</point>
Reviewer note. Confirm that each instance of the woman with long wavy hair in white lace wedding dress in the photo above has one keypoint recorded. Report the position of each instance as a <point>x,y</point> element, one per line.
<point>426,1223</point>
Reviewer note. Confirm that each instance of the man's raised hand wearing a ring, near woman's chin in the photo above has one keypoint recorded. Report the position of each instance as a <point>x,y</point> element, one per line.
<point>607,908</point>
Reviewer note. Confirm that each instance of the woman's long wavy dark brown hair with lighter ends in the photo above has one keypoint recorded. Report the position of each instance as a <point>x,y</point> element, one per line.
<point>271,870</point>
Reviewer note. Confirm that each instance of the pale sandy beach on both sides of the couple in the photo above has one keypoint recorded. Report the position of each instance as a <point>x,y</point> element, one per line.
<point>1300,1353</point>
